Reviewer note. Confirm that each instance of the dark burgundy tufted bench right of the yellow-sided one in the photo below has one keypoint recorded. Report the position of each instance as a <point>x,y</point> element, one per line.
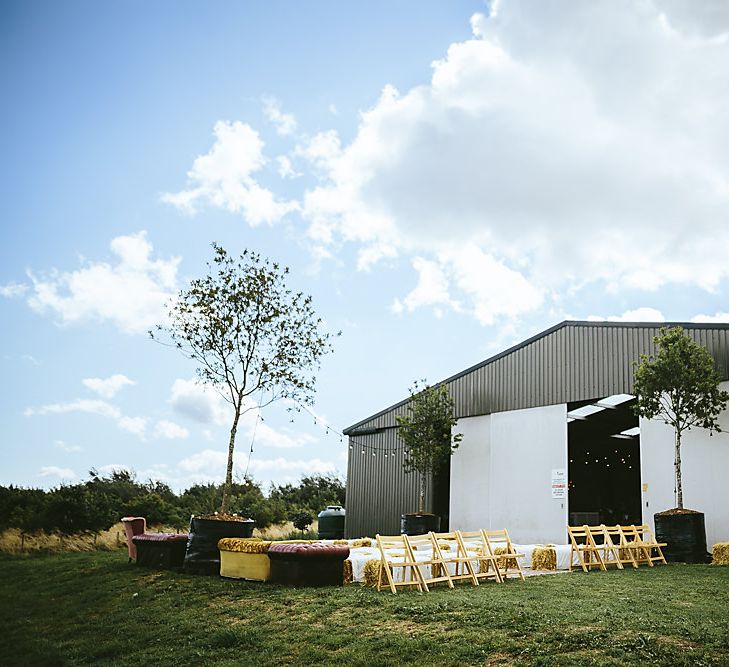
<point>308,564</point>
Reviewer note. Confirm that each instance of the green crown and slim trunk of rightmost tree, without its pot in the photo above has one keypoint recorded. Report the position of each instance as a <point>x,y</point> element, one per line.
<point>679,385</point>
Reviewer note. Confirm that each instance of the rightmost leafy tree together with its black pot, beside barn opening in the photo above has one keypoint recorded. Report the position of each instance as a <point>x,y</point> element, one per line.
<point>680,385</point>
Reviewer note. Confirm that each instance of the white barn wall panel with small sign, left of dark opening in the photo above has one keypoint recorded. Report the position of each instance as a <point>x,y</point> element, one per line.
<point>501,474</point>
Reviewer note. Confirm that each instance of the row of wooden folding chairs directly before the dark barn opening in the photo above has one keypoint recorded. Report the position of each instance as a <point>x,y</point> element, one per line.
<point>601,546</point>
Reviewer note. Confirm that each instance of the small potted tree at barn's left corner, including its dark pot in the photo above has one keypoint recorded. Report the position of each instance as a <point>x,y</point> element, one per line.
<point>426,432</point>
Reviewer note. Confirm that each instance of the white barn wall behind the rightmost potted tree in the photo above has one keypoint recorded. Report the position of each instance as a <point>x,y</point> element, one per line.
<point>704,467</point>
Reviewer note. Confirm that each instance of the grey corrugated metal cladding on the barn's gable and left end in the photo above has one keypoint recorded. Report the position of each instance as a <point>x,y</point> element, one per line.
<point>573,361</point>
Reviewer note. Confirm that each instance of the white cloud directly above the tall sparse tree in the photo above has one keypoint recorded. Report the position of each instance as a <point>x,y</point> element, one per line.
<point>223,178</point>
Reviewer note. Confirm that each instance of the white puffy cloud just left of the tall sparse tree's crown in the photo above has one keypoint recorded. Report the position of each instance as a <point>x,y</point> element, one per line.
<point>130,294</point>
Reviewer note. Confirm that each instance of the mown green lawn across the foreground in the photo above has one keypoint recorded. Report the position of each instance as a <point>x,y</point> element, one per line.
<point>94,608</point>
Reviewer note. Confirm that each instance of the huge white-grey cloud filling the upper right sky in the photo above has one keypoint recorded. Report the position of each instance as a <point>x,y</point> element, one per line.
<point>589,155</point>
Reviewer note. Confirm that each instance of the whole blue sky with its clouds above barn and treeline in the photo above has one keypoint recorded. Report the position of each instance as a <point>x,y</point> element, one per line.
<point>445,177</point>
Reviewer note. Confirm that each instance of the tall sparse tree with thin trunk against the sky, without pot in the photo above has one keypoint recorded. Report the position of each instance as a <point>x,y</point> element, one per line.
<point>255,340</point>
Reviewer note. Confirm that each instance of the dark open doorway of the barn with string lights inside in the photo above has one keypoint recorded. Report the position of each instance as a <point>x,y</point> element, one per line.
<point>603,448</point>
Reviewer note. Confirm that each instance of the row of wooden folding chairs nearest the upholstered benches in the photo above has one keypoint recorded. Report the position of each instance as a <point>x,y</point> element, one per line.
<point>424,560</point>
